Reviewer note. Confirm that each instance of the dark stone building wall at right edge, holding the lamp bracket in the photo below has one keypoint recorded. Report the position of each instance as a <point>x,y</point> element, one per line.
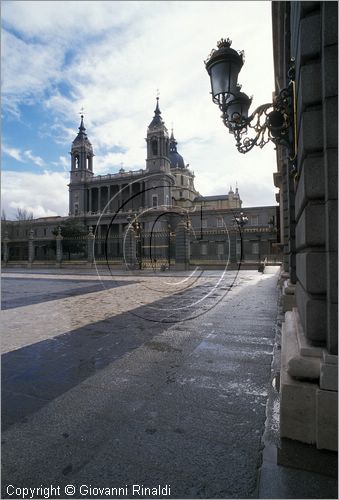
<point>307,33</point>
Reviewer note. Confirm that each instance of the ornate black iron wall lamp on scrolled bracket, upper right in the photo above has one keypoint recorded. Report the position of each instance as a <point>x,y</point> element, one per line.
<point>269,122</point>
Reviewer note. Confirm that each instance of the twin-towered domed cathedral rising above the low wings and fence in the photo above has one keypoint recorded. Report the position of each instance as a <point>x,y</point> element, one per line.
<point>166,184</point>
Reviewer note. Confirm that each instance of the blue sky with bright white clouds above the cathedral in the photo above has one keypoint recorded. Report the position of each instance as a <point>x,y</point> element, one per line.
<point>111,59</point>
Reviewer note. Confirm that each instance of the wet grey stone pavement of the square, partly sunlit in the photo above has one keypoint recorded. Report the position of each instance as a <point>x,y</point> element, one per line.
<point>157,381</point>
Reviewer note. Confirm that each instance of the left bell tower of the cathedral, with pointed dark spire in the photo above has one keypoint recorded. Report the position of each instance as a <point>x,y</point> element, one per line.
<point>81,171</point>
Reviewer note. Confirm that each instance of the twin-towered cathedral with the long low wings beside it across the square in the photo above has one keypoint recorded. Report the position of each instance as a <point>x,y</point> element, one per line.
<point>156,199</point>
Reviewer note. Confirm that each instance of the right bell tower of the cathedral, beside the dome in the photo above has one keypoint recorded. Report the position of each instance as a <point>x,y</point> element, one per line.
<point>157,144</point>
